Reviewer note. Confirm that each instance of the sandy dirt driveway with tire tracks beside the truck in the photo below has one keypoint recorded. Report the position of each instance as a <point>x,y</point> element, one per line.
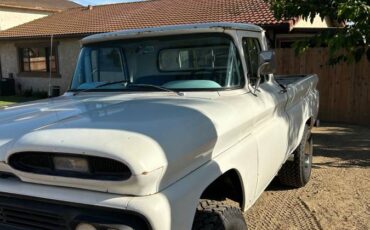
<point>338,195</point>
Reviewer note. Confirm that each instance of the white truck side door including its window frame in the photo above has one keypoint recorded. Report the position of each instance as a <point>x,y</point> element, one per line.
<point>271,125</point>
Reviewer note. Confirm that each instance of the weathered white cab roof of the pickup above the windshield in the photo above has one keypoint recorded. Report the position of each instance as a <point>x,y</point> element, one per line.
<point>170,30</point>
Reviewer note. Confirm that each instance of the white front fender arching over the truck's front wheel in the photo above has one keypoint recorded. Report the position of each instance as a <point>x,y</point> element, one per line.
<point>175,206</point>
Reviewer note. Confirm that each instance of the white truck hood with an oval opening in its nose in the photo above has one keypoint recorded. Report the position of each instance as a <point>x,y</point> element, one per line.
<point>160,138</point>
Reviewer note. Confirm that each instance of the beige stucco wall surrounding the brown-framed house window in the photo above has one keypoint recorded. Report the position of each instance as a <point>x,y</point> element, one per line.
<point>68,50</point>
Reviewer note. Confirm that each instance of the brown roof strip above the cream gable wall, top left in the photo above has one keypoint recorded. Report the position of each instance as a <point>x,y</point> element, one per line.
<point>43,5</point>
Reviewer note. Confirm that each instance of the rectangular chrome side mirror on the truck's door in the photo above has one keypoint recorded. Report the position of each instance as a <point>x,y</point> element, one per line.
<point>266,65</point>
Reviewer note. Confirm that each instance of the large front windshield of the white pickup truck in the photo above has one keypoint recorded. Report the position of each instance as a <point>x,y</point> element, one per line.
<point>187,62</point>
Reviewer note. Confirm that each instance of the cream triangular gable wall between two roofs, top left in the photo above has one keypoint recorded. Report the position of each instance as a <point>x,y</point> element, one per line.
<point>13,17</point>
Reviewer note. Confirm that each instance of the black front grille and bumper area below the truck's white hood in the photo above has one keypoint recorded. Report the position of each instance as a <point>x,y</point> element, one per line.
<point>29,213</point>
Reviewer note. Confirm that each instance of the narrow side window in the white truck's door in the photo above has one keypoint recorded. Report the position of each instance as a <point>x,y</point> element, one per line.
<point>252,48</point>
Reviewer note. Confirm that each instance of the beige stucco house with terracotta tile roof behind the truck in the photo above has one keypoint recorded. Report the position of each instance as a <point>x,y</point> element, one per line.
<point>25,49</point>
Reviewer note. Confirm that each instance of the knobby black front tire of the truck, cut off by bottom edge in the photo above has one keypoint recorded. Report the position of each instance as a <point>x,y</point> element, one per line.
<point>218,215</point>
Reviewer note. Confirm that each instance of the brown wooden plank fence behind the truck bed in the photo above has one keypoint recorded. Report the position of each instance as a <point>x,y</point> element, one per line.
<point>344,88</point>
